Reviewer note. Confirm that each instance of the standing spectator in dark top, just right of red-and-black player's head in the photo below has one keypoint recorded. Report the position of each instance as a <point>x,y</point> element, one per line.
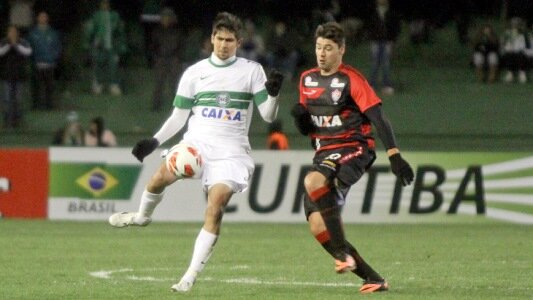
<point>383,29</point>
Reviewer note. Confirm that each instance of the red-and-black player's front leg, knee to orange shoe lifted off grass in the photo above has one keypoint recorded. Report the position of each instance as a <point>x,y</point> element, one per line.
<point>320,192</point>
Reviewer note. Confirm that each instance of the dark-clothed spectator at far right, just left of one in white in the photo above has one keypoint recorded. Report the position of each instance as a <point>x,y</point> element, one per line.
<point>486,54</point>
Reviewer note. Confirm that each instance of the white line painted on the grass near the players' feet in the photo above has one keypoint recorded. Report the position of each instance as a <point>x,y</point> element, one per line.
<point>108,274</point>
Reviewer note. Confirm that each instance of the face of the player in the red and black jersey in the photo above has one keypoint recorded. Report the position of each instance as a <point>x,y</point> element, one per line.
<point>328,55</point>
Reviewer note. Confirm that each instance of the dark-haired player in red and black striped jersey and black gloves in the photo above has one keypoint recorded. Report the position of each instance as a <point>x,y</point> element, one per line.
<point>337,109</point>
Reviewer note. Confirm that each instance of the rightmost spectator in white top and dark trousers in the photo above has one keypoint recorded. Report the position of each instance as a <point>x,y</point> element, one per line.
<point>514,45</point>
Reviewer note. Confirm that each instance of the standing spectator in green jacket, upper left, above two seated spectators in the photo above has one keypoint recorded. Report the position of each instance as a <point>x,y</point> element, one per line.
<point>105,39</point>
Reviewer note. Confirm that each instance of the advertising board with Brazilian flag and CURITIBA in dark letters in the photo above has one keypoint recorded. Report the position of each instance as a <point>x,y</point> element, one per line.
<point>93,183</point>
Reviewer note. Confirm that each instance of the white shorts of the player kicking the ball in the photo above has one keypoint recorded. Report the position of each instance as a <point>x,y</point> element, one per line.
<point>228,164</point>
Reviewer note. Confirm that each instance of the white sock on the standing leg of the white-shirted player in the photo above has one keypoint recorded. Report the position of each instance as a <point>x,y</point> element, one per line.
<point>203,248</point>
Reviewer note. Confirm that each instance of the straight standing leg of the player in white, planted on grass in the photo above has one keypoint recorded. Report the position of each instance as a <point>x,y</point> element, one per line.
<point>217,199</point>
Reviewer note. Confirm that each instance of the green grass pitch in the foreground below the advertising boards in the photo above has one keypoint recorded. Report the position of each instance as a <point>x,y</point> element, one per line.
<point>478,259</point>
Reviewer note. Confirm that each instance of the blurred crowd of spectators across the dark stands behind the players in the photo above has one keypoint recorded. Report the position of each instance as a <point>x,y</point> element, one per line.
<point>33,51</point>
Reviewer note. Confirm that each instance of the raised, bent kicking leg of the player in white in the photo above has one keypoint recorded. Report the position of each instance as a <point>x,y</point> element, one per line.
<point>150,198</point>
